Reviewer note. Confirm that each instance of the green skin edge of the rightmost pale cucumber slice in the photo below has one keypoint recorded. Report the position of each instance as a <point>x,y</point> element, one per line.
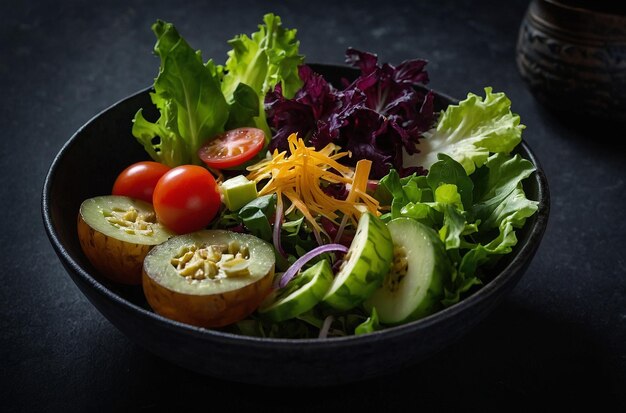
<point>431,303</point>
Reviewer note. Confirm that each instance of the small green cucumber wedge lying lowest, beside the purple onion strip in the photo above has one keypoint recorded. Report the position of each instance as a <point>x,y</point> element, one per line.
<point>300,295</point>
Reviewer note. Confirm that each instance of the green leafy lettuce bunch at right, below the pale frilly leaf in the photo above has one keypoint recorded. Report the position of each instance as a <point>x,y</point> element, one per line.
<point>475,215</point>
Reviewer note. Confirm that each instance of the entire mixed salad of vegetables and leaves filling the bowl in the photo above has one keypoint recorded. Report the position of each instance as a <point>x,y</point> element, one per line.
<point>273,203</point>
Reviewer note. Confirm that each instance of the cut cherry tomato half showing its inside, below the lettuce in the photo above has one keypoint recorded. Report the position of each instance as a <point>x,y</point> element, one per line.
<point>232,148</point>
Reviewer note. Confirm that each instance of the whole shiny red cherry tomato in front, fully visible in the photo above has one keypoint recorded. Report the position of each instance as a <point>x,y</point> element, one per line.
<point>186,198</point>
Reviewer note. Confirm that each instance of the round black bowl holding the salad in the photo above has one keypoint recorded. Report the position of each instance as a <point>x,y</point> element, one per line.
<point>87,166</point>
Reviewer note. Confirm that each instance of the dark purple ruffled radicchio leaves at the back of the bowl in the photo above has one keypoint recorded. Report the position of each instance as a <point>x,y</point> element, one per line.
<point>382,113</point>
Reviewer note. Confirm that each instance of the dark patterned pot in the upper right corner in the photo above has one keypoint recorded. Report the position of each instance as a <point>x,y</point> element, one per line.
<point>573,56</point>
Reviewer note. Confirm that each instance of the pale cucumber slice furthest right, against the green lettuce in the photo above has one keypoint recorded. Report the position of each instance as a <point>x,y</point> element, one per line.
<point>414,287</point>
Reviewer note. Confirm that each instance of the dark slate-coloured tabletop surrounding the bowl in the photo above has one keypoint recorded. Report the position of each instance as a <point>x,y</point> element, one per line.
<point>559,338</point>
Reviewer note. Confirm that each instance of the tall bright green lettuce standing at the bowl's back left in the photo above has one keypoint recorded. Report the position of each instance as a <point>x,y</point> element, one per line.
<point>197,100</point>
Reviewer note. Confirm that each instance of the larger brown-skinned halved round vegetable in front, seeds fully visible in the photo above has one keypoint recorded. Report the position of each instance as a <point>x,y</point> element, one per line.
<point>209,278</point>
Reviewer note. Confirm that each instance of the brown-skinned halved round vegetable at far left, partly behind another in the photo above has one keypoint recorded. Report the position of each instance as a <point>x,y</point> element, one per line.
<point>116,233</point>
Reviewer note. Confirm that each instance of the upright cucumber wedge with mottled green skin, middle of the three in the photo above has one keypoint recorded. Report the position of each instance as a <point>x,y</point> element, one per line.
<point>366,264</point>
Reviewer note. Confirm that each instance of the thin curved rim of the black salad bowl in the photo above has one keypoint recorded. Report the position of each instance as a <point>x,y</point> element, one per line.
<point>484,293</point>
